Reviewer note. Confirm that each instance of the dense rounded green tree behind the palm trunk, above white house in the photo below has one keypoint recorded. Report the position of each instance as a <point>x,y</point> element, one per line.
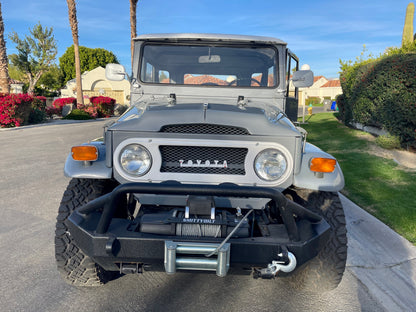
<point>89,59</point>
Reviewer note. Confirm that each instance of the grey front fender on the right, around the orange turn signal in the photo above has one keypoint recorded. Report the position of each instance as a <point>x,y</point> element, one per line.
<point>329,182</point>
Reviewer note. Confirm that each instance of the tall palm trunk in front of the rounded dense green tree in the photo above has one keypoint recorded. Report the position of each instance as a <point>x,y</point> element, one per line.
<point>72,14</point>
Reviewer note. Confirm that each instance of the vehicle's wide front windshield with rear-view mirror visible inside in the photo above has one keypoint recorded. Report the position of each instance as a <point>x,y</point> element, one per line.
<point>209,65</point>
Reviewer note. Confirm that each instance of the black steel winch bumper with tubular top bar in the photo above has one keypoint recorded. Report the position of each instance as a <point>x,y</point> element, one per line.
<point>112,242</point>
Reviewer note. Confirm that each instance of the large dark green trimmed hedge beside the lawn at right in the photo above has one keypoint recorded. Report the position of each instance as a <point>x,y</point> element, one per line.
<point>382,93</point>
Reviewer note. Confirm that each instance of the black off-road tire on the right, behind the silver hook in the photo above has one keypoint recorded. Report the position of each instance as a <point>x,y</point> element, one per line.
<point>324,272</point>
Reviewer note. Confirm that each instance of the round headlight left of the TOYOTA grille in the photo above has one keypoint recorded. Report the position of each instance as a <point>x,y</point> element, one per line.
<point>135,159</point>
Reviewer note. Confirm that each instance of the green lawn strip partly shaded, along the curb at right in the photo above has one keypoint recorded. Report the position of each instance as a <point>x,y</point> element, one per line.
<point>376,184</point>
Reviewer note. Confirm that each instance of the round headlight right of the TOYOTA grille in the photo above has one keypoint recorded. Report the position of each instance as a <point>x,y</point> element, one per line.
<point>270,164</point>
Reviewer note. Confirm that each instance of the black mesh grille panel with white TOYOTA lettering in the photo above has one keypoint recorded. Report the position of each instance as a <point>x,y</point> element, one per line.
<point>203,160</point>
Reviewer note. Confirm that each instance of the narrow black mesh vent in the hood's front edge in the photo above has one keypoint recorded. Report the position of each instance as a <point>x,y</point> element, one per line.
<point>204,129</point>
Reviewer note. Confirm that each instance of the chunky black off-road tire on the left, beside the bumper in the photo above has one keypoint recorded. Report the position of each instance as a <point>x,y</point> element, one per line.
<point>76,267</point>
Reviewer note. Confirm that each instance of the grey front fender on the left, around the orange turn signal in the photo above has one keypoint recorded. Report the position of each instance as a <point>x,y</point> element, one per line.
<point>89,170</point>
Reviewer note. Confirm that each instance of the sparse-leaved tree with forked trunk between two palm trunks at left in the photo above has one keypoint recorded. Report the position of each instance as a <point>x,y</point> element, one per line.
<point>35,54</point>
